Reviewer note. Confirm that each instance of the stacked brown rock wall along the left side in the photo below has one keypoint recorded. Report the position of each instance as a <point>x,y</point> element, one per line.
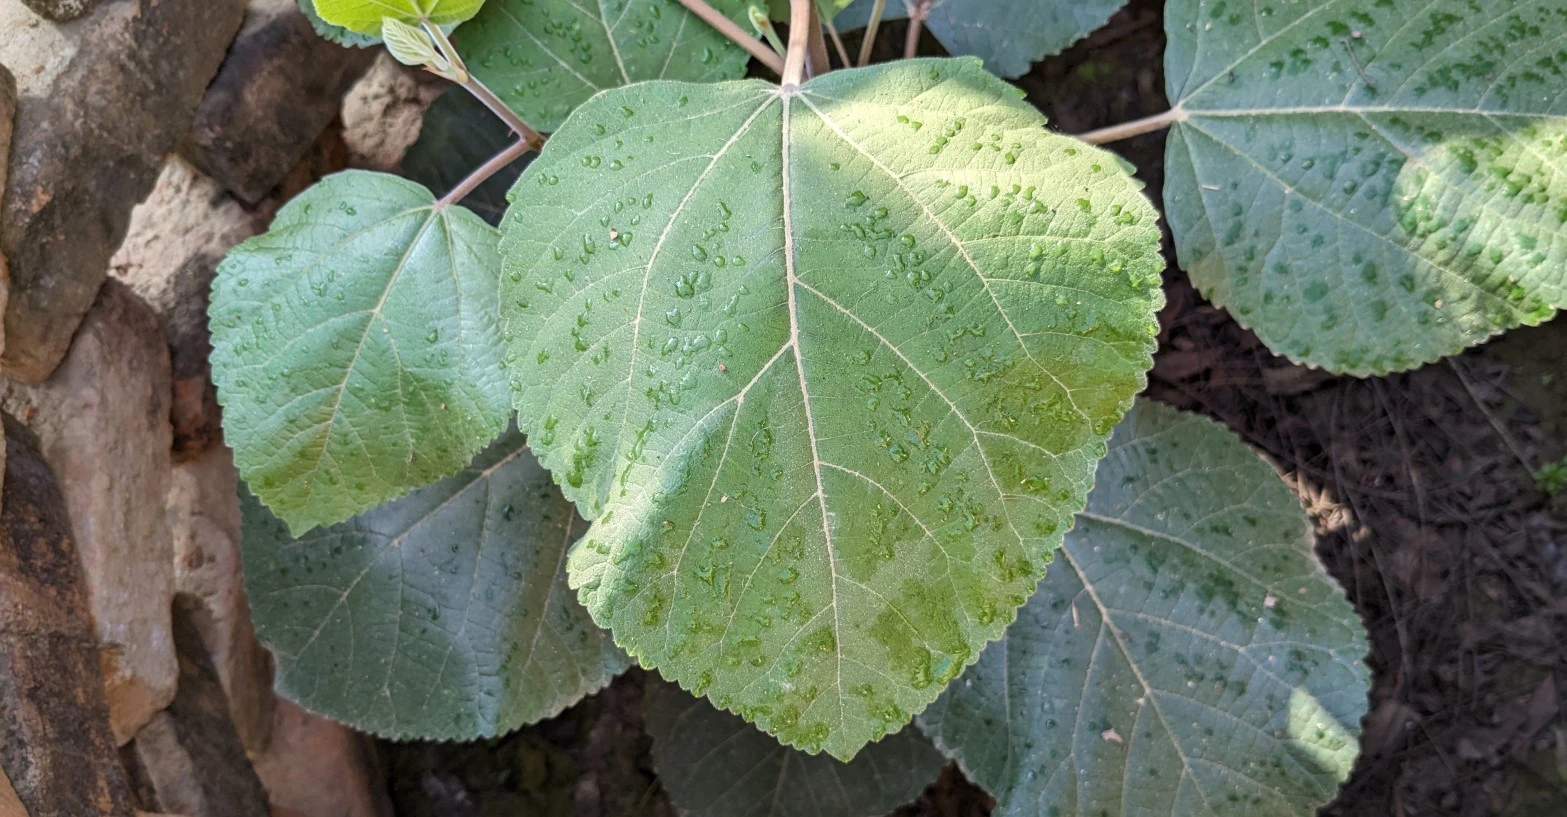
<point>140,140</point>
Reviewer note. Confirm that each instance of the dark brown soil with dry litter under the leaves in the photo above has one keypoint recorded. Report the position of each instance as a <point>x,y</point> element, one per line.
<point>1420,487</point>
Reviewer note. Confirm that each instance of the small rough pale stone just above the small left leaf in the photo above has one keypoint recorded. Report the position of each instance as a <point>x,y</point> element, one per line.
<point>385,112</point>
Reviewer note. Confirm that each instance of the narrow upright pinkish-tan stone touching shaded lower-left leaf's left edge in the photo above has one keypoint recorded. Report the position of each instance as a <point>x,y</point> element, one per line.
<point>204,517</point>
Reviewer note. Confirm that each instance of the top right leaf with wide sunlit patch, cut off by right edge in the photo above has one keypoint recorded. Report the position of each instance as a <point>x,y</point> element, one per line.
<point>1372,186</point>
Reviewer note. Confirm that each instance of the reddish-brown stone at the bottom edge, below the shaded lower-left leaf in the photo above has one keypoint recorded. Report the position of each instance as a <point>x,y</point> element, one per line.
<point>316,768</point>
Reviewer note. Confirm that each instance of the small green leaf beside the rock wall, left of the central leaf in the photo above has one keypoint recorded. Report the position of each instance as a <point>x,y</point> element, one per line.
<point>356,347</point>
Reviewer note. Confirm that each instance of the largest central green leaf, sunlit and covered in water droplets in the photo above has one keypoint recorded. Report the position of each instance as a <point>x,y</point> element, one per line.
<point>830,368</point>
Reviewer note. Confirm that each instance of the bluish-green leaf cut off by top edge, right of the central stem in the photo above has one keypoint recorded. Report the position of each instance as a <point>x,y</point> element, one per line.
<point>1008,35</point>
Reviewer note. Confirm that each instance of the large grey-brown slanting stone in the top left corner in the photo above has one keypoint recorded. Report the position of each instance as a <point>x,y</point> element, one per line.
<point>101,103</point>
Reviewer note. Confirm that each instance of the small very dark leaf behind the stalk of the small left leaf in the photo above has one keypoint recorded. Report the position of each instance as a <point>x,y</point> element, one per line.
<point>460,134</point>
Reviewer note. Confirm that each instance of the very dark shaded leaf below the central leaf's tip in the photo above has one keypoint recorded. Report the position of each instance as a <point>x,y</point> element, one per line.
<point>715,764</point>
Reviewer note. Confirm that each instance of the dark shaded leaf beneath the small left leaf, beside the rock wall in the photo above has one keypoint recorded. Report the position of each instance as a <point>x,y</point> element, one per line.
<point>443,615</point>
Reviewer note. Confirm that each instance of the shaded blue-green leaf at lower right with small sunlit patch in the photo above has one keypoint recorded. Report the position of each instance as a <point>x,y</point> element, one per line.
<point>1187,653</point>
